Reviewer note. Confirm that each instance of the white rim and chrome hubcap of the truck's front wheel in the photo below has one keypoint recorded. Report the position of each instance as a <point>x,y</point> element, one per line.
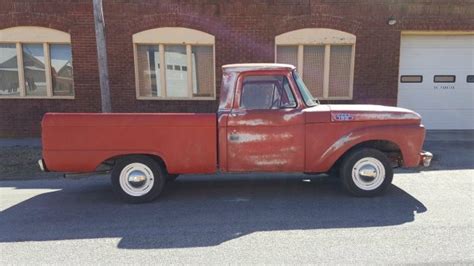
<point>368,173</point>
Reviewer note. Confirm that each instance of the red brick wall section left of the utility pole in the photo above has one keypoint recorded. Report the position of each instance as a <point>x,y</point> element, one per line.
<point>22,117</point>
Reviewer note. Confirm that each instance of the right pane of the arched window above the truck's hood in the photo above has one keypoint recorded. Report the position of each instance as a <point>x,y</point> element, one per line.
<point>340,70</point>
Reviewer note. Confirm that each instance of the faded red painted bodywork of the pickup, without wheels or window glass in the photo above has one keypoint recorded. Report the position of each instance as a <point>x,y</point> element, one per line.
<point>300,139</point>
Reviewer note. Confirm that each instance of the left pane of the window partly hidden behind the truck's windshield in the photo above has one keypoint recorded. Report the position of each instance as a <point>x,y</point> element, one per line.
<point>313,69</point>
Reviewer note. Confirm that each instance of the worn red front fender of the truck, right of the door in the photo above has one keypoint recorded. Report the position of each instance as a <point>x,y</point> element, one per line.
<point>327,142</point>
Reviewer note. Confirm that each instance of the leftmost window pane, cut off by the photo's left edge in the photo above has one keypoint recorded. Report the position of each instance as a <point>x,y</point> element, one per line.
<point>8,71</point>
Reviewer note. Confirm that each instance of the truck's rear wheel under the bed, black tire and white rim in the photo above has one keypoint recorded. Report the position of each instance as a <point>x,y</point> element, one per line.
<point>138,179</point>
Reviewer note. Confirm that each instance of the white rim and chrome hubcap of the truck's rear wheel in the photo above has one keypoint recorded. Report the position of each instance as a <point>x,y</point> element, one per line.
<point>136,179</point>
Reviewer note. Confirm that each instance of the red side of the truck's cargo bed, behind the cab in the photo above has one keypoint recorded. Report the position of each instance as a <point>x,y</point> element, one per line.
<point>80,142</point>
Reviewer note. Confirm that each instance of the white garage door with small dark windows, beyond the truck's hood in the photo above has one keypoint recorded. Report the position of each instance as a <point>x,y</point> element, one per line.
<point>437,79</point>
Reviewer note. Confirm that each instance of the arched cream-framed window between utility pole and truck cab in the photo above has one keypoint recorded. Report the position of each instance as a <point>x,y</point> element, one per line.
<point>174,63</point>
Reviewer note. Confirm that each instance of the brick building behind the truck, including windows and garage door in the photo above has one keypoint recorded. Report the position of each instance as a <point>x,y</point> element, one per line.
<point>165,56</point>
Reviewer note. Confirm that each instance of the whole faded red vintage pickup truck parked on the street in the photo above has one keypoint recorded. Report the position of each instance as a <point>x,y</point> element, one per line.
<point>267,121</point>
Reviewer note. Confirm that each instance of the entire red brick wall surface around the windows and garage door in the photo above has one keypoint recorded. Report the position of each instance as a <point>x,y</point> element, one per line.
<point>245,31</point>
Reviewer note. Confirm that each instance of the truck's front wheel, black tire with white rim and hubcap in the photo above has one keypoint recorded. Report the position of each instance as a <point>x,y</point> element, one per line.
<point>366,172</point>
